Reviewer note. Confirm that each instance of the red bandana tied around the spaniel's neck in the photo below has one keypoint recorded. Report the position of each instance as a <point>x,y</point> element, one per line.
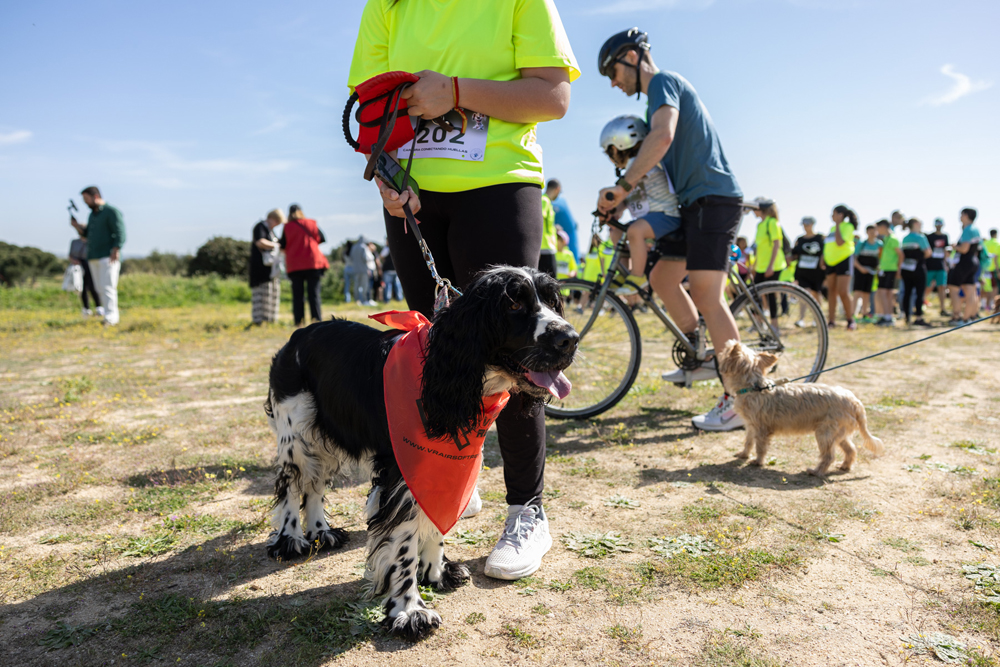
<point>441,473</point>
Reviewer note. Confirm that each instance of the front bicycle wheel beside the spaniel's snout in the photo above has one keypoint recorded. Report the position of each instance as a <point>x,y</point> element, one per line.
<point>607,359</point>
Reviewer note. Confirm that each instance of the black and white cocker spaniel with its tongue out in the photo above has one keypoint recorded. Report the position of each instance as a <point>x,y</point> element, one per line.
<point>326,408</point>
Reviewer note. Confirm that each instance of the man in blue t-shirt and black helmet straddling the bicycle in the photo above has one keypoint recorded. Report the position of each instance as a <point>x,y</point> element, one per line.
<point>683,139</point>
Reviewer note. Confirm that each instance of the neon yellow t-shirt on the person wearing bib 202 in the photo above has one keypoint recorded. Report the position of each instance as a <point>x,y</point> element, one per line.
<point>480,40</point>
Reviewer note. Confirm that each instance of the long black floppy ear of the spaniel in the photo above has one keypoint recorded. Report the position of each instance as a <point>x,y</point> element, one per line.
<point>460,342</point>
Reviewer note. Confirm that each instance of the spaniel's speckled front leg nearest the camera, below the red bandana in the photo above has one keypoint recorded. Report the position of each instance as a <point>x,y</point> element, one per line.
<point>393,560</point>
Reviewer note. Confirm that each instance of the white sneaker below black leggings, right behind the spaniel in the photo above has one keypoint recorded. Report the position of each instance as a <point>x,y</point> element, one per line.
<point>524,541</point>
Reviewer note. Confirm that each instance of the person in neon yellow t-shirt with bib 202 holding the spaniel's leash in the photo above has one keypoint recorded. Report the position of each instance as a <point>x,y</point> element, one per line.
<point>508,64</point>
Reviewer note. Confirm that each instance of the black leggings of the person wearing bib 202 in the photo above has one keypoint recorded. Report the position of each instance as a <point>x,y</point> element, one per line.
<point>466,232</point>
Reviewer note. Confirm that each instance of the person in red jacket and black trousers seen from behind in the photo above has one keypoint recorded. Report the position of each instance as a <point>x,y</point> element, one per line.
<point>305,262</point>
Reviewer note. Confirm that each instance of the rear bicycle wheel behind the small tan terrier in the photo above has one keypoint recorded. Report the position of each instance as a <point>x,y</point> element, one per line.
<point>793,327</point>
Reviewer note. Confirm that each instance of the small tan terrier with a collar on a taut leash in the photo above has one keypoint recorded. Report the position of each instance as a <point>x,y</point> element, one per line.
<point>832,413</point>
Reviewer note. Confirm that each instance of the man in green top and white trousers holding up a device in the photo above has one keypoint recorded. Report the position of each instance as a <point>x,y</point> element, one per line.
<point>105,234</point>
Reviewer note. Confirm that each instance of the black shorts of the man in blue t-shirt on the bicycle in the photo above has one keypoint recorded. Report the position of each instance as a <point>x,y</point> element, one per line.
<point>710,225</point>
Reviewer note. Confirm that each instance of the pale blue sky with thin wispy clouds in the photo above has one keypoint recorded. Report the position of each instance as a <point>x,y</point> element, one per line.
<point>197,118</point>
